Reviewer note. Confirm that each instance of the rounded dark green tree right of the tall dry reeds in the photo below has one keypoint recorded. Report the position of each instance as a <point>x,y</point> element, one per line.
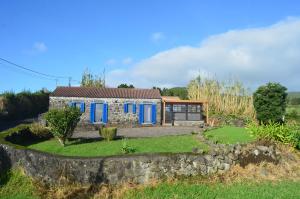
<point>270,102</point>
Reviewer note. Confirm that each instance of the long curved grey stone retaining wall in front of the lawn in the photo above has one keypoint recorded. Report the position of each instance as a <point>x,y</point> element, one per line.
<point>128,168</point>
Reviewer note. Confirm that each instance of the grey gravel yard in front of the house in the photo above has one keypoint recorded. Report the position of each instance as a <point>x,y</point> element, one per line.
<point>142,132</point>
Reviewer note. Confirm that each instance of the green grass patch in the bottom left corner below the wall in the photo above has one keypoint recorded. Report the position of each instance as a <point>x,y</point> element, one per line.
<point>15,185</point>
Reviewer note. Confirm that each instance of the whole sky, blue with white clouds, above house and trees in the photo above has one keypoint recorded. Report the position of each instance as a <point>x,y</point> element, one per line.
<point>150,43</point>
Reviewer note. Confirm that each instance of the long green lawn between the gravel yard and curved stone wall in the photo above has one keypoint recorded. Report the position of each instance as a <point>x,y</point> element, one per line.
<point>171,144</point>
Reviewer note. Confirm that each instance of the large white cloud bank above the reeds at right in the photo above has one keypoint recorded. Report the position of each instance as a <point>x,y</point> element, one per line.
<point>255,55</point>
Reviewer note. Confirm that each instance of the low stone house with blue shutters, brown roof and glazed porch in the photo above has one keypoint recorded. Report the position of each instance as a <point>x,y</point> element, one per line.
<point>127,107</point>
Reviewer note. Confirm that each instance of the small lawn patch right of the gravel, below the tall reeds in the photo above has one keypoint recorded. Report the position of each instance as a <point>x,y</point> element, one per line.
<point>229,135</point>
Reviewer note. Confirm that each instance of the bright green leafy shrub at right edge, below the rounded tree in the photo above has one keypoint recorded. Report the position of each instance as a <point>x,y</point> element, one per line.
<point>285,133</point>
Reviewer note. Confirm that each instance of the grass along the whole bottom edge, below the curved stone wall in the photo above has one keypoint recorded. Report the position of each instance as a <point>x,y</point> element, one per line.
<point>15,185</point>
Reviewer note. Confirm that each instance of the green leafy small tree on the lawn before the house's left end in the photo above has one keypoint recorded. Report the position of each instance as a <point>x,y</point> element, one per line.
<point>62,122</point>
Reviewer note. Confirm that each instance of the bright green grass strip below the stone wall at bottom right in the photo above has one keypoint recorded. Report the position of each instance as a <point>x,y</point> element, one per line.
<point>264,190</point>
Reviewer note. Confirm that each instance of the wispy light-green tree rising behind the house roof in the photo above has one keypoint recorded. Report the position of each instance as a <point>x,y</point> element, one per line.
<point>90,80</point>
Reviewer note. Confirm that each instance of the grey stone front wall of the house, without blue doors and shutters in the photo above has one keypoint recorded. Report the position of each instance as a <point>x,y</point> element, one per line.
<point>116,115</point>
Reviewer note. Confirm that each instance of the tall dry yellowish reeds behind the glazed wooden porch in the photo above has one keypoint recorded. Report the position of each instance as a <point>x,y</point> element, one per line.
<point>229,97</point>
